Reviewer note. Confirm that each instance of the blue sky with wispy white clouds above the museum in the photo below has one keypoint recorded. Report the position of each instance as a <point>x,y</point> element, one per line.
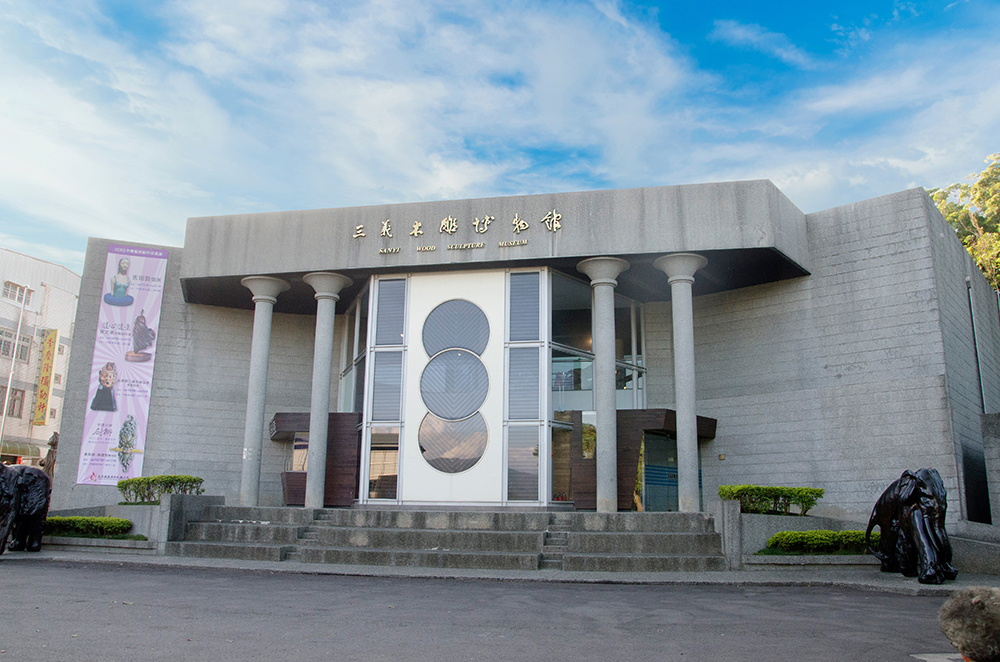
<point>121,118</point>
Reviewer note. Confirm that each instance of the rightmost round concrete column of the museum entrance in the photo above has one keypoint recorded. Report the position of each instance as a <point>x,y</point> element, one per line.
<point>680,269</point>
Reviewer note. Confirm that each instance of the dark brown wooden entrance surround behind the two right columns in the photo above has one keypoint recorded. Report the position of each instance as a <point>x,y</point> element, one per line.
<point>631,425</point>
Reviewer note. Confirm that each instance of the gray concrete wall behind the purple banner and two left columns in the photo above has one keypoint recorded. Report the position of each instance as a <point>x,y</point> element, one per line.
<point>198,405</point>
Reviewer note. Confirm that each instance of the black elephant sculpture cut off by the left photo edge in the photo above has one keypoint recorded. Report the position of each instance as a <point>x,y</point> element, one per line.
<point>24,503</point>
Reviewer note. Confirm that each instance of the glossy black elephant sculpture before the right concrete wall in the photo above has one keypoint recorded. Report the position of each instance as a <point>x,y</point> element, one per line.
<point>910,514</point>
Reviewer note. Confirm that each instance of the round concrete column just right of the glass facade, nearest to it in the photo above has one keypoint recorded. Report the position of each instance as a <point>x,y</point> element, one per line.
<point>602,272</point>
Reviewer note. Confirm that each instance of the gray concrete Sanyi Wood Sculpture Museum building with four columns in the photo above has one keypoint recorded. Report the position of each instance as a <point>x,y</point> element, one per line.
<point>474,353</point>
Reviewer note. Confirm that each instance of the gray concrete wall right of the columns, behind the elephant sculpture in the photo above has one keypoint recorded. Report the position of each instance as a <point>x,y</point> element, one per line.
<point>835,380</point>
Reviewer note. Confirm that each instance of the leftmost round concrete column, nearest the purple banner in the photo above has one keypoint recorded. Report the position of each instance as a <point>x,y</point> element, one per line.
<point>265,292</point>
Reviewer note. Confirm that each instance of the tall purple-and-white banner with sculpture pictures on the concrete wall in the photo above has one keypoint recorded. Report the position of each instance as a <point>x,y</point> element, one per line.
<point>121,375</point>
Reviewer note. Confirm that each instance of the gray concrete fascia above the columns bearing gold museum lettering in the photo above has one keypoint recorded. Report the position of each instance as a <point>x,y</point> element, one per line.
<point>724,215</point>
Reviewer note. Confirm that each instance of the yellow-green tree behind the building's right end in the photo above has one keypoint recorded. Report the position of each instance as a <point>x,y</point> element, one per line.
<point>973,209</point>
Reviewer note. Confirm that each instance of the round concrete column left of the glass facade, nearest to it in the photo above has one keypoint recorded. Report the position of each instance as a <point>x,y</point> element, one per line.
<point>328,287</point>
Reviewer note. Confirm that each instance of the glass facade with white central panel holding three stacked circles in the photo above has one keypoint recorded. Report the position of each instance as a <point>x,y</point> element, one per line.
<point>438,402</point>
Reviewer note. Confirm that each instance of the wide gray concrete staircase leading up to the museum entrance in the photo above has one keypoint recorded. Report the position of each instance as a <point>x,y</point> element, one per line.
<point>494,540</point>
